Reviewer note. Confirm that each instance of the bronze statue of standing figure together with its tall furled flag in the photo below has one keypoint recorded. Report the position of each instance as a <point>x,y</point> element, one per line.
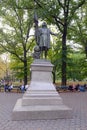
<point>42,37</point>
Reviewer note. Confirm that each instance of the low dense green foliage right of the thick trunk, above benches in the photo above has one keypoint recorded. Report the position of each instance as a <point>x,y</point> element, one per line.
<point>76,66</point>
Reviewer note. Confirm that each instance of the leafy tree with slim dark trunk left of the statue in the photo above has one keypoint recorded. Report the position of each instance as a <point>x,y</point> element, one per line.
<point>15,36</point>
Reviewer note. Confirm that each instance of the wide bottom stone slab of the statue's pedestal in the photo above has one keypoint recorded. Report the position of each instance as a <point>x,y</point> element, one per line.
<point>40,112</point>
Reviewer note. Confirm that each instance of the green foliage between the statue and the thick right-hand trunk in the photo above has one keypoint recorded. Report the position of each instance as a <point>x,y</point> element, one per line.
<point>54,55</point>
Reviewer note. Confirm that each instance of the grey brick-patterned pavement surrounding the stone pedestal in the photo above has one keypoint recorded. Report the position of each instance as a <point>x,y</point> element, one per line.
<point>75,100</point>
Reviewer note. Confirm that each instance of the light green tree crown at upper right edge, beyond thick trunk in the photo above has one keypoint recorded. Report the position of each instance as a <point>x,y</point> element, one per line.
<point>79,29</point>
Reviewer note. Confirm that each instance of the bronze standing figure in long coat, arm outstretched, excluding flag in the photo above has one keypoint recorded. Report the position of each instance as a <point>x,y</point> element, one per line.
<point>43,38</point>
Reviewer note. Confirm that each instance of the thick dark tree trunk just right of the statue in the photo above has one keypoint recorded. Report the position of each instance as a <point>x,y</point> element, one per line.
<point>64,47</point>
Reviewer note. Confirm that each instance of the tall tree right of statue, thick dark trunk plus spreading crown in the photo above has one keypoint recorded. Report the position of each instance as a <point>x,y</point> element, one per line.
<point>61,14</point>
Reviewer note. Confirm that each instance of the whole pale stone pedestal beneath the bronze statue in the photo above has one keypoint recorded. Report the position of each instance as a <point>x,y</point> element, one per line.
<point>41,100</point>
